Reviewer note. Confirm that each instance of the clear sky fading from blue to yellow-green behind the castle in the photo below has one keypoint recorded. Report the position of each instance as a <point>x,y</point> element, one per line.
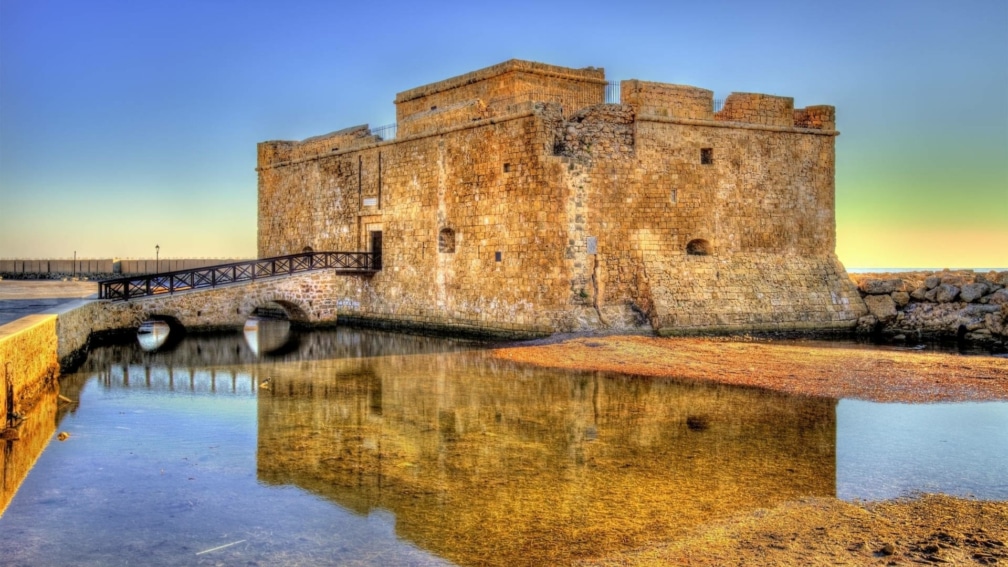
<point>130,124</point>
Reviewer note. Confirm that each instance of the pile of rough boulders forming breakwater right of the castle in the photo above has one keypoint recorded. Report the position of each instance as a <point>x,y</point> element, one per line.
<point>962,305</point>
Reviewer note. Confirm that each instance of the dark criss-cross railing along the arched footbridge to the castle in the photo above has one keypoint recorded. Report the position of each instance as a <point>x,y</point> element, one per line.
<point>125,289</point>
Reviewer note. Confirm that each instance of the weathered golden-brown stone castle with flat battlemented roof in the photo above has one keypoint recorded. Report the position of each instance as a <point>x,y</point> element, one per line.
<point>515,200</point>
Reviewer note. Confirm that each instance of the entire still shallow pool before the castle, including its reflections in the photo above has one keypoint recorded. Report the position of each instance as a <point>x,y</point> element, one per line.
<point>364,448</point>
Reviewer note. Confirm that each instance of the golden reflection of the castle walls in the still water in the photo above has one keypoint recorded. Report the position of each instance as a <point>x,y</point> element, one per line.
<point>484,464</point>
